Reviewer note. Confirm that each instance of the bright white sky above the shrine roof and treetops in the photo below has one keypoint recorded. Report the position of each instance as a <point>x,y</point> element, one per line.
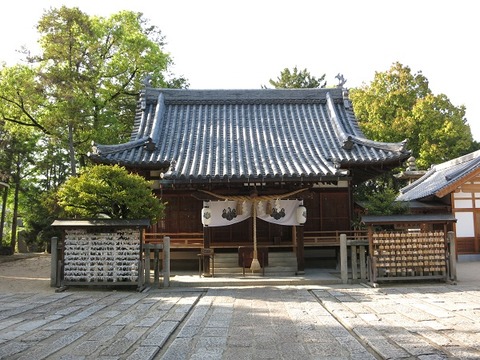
<point>242,44</point>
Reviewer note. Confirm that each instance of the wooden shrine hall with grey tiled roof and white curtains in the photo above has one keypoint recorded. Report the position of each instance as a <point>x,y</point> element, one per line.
<point>269,170</point>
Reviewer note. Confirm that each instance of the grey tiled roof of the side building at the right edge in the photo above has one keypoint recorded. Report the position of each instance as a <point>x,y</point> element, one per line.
<point>442,179</point>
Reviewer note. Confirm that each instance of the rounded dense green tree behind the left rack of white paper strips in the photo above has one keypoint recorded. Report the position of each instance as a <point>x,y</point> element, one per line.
<point>109,190</point>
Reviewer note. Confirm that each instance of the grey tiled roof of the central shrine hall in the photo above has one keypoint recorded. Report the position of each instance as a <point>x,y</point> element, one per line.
<point>243,135</point>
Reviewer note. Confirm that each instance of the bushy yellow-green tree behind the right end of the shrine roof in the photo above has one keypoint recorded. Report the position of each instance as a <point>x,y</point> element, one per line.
<point>399,105</point>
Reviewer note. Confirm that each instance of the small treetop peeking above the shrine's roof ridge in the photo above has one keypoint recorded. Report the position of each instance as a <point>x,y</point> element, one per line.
<point>297,79</point>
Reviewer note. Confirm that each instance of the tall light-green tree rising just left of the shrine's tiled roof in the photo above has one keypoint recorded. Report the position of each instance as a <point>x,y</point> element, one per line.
<point>92,69</point>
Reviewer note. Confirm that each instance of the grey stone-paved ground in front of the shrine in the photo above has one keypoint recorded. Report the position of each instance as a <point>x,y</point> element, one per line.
<point>263,322</point>
